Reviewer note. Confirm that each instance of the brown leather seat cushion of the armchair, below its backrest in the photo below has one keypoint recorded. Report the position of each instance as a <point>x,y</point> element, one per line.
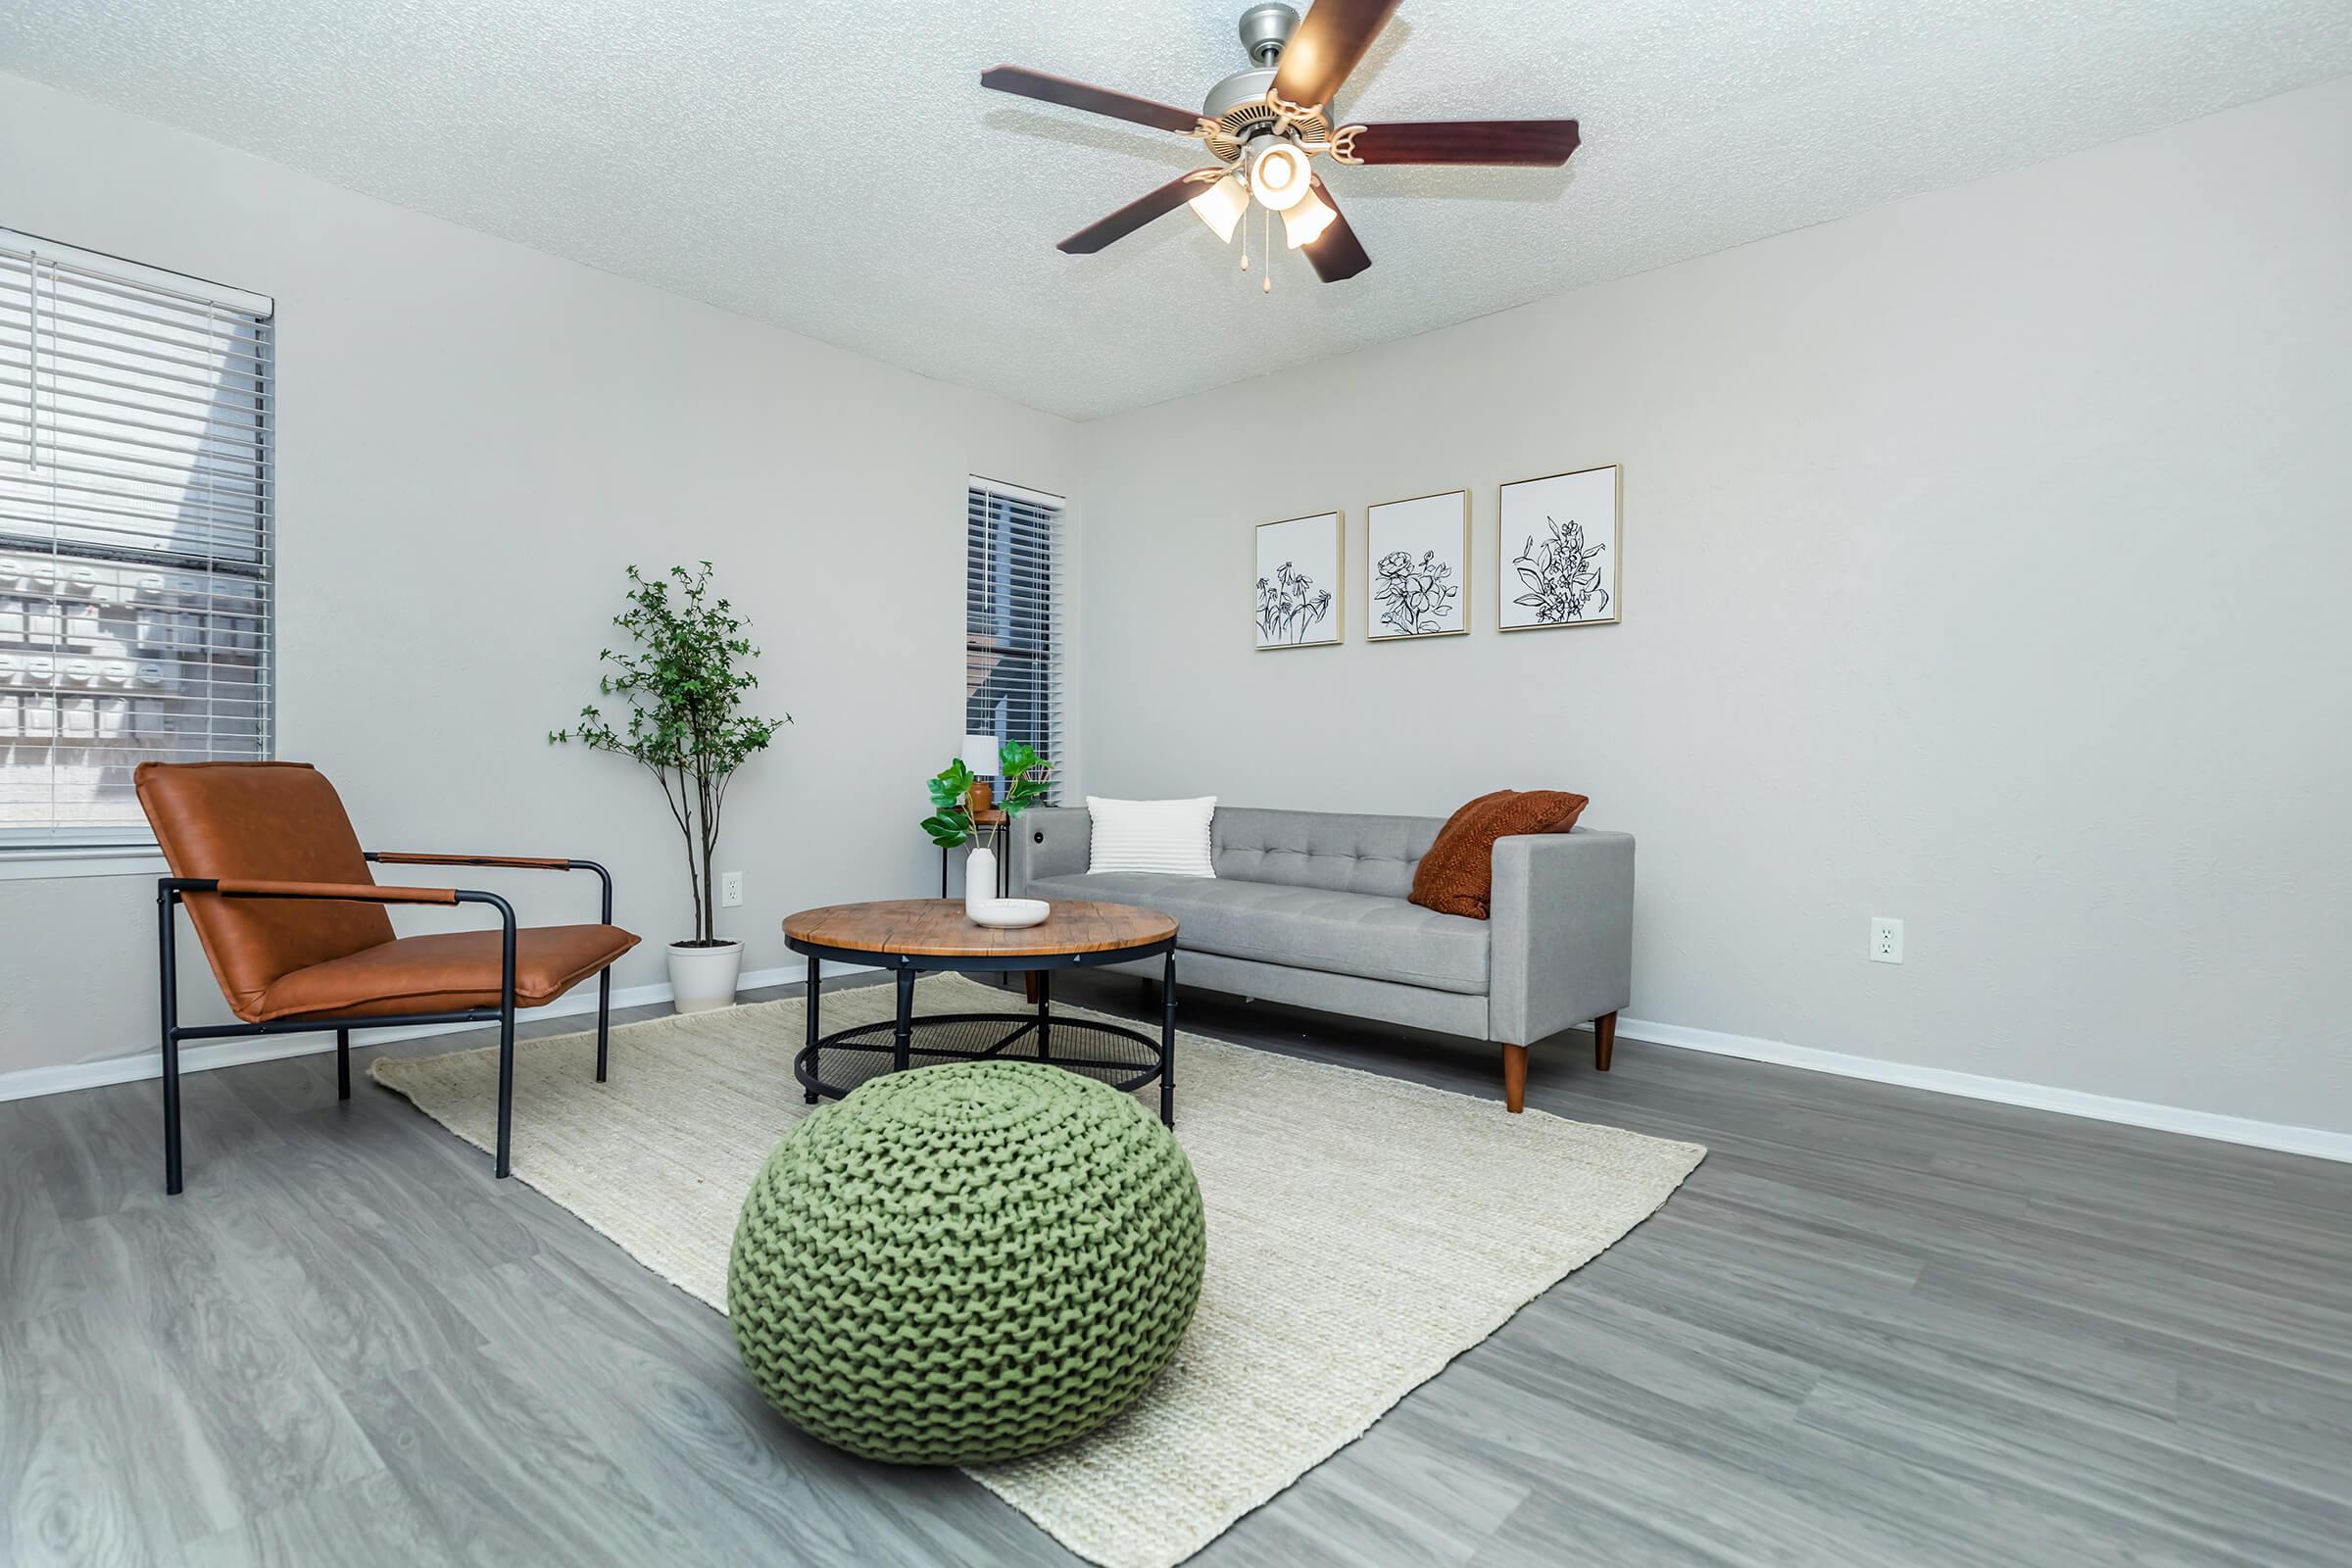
<point>443,974</point>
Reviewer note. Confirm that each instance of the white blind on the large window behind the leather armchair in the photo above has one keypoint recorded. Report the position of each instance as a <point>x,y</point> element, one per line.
<point>135,537</point>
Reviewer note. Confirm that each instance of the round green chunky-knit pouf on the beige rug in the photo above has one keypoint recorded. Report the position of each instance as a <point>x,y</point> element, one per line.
<point>965,1264</point>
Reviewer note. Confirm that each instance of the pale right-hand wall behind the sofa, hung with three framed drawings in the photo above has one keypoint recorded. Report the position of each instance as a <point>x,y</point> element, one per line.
<point>1986,565</point>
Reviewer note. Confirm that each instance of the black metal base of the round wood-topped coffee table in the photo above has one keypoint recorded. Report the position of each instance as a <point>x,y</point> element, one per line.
<point>831,1066</point>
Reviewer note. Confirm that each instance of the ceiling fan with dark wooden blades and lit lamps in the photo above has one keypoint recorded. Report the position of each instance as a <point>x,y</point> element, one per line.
<point>1267,126</point>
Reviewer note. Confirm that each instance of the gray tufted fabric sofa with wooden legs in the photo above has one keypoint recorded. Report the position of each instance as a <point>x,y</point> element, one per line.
<point>1311,909</point>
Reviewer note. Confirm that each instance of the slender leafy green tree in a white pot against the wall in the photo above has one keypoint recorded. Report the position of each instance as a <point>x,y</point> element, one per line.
<point>688,728</point>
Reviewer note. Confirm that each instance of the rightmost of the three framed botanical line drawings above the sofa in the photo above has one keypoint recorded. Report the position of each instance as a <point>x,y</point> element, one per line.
<point>1558,551</point>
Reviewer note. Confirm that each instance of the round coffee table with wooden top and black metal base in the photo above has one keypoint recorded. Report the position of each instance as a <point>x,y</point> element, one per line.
<point>933,934</point>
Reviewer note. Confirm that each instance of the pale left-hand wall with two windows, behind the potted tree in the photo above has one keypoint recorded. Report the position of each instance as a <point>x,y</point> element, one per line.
<point>474,443</point>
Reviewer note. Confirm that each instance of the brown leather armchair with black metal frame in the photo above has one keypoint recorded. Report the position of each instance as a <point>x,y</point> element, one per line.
<point>300,939</point>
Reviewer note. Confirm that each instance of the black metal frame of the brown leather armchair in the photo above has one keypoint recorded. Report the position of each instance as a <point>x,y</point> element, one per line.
<point>173,890</point>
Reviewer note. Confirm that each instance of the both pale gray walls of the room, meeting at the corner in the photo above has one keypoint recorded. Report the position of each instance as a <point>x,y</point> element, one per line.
<point>1986,568</point>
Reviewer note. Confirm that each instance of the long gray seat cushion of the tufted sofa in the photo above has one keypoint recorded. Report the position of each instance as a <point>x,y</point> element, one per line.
<point>1344,934</point>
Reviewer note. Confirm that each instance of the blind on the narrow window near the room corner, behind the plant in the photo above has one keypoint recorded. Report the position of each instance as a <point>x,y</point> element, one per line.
<point>1013,617</point>
